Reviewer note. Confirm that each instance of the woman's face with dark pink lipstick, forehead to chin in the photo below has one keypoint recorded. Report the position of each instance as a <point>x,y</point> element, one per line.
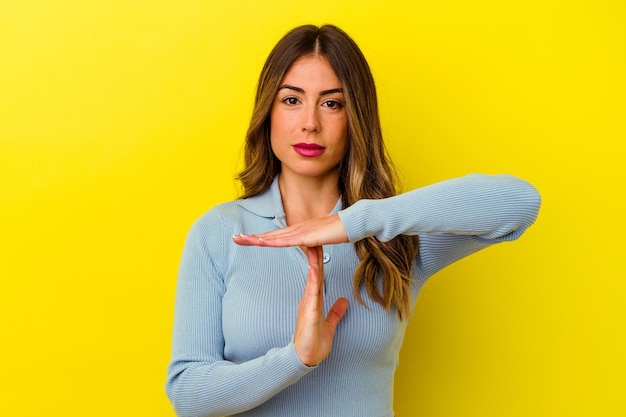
<point>309,125</point>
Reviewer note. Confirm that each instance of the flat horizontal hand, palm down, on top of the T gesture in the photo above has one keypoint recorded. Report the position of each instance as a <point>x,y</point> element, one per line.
<point>317,232</point>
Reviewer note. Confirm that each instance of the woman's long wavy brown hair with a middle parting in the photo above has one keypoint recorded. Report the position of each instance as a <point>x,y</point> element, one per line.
<point>366,172</point>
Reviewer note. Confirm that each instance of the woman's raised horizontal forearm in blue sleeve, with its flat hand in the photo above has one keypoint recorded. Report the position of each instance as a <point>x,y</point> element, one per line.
<point>481,208</point>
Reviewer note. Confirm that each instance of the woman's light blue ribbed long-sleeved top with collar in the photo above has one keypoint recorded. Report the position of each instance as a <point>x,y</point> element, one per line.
<point>236,306</point>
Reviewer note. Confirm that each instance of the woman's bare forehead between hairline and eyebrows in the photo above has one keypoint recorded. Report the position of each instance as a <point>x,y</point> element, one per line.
<point>312,70</point>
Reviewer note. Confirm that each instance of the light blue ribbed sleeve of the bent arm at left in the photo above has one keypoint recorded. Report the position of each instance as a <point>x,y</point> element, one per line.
<point>200,381</point>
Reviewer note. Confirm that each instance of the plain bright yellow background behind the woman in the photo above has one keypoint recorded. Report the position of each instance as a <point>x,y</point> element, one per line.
<point>122,121</point>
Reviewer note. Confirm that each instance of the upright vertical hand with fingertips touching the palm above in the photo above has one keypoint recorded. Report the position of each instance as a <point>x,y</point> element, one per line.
<point>314,335</point>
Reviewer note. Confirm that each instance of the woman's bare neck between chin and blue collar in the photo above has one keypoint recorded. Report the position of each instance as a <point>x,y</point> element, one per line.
<point>308,198</point>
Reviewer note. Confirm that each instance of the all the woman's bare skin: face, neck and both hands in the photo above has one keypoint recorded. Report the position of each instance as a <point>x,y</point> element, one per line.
<point>309,107</point>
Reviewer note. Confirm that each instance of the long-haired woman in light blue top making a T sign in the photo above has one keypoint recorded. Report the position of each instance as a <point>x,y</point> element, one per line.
<point>313,326</point>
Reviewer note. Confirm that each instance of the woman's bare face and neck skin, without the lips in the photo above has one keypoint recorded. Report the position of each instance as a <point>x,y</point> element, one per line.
<point>309,108</point>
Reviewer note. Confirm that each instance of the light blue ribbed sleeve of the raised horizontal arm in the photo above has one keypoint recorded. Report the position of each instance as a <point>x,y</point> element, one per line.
<point>453,218</point>
